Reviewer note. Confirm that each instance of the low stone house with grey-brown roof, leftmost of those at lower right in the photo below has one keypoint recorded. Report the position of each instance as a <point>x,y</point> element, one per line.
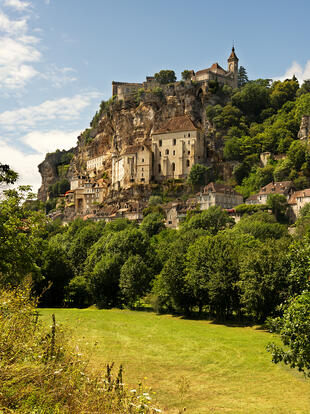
<point>221,195</point>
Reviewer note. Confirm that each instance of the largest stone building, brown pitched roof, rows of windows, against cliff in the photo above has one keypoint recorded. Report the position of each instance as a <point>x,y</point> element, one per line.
<point>176,146</point>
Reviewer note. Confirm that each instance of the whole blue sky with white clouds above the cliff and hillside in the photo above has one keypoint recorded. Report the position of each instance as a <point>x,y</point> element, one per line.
<point>59,57</point>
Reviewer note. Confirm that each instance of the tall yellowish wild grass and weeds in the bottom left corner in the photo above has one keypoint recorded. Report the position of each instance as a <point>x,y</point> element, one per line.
<point>41,372</point>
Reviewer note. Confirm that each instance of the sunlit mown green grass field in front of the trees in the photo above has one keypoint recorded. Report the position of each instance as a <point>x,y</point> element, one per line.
<point>205,367</point>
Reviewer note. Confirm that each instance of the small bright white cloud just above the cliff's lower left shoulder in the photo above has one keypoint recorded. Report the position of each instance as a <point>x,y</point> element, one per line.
<point>44,142</point>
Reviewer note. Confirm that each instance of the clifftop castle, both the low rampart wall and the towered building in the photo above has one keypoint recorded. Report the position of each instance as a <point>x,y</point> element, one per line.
<point>224,77</point>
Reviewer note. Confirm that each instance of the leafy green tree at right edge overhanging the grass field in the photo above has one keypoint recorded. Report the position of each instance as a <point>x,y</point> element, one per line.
<point>294,331</point>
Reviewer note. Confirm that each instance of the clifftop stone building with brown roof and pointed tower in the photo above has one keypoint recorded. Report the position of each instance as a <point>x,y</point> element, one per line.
<point>222,76</point>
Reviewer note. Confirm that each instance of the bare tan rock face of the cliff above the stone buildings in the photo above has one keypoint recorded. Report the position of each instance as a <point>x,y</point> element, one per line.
<point>125,123</point>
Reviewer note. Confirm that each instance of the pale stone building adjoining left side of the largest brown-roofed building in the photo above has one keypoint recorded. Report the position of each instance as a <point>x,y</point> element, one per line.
<point>134,165</point>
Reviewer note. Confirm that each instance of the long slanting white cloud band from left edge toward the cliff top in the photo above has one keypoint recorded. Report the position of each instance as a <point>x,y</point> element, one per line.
<point>62,109</point>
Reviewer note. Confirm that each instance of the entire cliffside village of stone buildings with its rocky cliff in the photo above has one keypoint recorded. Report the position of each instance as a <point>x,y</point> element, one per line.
<point>147,142</point>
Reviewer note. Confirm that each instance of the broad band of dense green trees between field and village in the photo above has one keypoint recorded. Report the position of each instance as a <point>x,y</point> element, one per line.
<point>211,265</point>
